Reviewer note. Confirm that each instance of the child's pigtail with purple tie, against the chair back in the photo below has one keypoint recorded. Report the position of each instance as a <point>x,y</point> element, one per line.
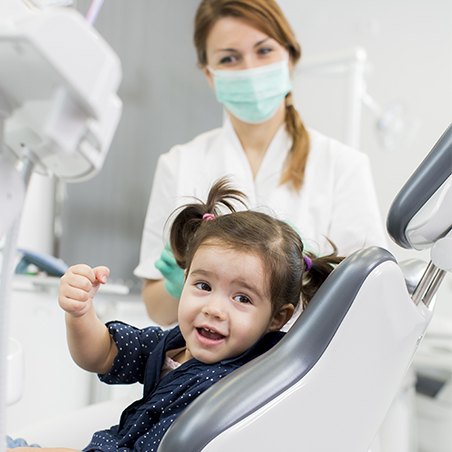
<point>316,271</point>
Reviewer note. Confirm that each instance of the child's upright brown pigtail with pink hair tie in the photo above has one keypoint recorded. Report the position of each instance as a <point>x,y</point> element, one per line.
<point>192,216</point>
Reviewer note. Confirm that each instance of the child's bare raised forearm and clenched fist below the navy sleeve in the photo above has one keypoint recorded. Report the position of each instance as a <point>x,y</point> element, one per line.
<point>89,341</point>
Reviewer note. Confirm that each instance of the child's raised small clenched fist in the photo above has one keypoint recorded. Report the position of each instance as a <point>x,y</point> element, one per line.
<point>78,287</point>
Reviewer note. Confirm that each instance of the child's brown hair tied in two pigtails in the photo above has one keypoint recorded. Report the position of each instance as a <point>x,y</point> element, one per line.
<point>293,274</point>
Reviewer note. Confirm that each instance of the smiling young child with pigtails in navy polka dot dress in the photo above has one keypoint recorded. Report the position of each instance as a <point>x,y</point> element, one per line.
<point>245,274</point>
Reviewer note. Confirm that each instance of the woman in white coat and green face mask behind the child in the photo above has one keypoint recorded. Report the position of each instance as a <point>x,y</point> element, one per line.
<point>247,51</point>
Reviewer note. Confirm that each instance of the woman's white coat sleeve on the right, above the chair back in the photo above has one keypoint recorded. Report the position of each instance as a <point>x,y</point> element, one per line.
<point>356,220</point>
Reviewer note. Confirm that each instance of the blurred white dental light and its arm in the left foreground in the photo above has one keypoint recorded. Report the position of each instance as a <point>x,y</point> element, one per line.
<point>58,114</point>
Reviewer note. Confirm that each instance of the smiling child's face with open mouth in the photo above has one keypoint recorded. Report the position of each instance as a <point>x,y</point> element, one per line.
<point>225,306</point>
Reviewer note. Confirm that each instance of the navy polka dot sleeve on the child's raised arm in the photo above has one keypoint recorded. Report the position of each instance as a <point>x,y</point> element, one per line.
<point>134,347</point>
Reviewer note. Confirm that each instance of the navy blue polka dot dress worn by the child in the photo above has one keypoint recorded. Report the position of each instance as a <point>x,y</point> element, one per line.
<point>141,354</point>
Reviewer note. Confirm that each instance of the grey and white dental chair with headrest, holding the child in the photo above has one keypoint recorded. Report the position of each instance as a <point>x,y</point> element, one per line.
<point>329,383</point>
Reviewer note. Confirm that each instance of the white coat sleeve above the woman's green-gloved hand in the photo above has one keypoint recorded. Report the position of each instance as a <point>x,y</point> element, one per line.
<point>162,203</point>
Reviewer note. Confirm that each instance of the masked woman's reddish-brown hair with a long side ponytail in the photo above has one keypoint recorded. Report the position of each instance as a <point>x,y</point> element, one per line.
<point>266,16</point>
